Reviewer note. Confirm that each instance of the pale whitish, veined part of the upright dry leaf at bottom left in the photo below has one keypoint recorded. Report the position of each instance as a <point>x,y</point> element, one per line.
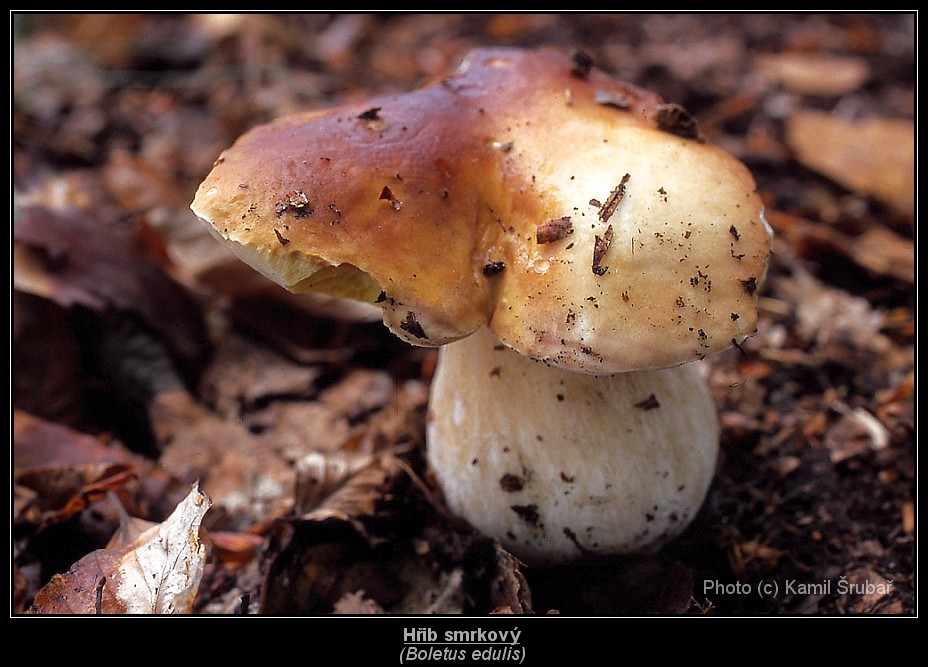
<point>160,573</point>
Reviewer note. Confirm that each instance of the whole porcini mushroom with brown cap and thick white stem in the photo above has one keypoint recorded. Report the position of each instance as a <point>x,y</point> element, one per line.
<point>571,242</point>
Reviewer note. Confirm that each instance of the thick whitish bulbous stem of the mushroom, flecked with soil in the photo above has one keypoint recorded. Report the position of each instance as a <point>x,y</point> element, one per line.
<point>558,465</point>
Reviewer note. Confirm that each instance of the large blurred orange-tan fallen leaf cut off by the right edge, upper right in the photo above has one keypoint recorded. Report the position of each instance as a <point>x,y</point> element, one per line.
<point>873,156</point>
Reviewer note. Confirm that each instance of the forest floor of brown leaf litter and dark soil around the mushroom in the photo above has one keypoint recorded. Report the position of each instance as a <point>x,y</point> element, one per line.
<point>145,359</point>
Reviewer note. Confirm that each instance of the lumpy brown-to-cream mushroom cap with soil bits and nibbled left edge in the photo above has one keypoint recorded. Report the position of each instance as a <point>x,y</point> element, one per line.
<point>579,217</point>
